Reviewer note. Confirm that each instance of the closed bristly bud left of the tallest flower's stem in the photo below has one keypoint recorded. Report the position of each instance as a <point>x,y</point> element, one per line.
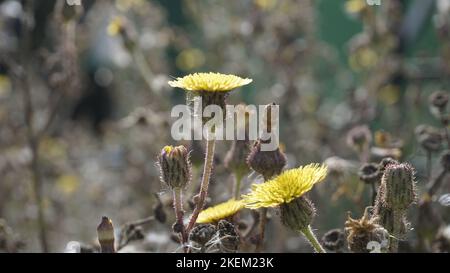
<point>175,166</point>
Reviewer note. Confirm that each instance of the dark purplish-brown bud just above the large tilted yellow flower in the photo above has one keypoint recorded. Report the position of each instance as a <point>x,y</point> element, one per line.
<point>266,163</point>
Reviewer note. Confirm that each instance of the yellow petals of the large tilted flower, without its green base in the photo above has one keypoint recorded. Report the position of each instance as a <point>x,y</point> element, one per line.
<point>286,187</point>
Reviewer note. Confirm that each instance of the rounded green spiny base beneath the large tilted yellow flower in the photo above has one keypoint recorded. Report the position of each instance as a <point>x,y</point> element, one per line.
<point>298,214</point>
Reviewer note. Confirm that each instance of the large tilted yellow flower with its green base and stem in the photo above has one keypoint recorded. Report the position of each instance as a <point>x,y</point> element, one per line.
<point>286,191</point>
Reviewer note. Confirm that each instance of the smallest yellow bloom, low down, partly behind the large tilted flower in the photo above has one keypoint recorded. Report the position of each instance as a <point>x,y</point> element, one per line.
<point>221,211</point>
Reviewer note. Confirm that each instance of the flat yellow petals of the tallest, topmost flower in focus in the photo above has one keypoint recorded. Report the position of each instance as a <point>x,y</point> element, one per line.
<point>209,82</point>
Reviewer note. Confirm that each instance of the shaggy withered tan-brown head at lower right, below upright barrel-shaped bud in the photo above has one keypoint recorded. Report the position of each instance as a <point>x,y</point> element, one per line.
<point>361,233</point>
